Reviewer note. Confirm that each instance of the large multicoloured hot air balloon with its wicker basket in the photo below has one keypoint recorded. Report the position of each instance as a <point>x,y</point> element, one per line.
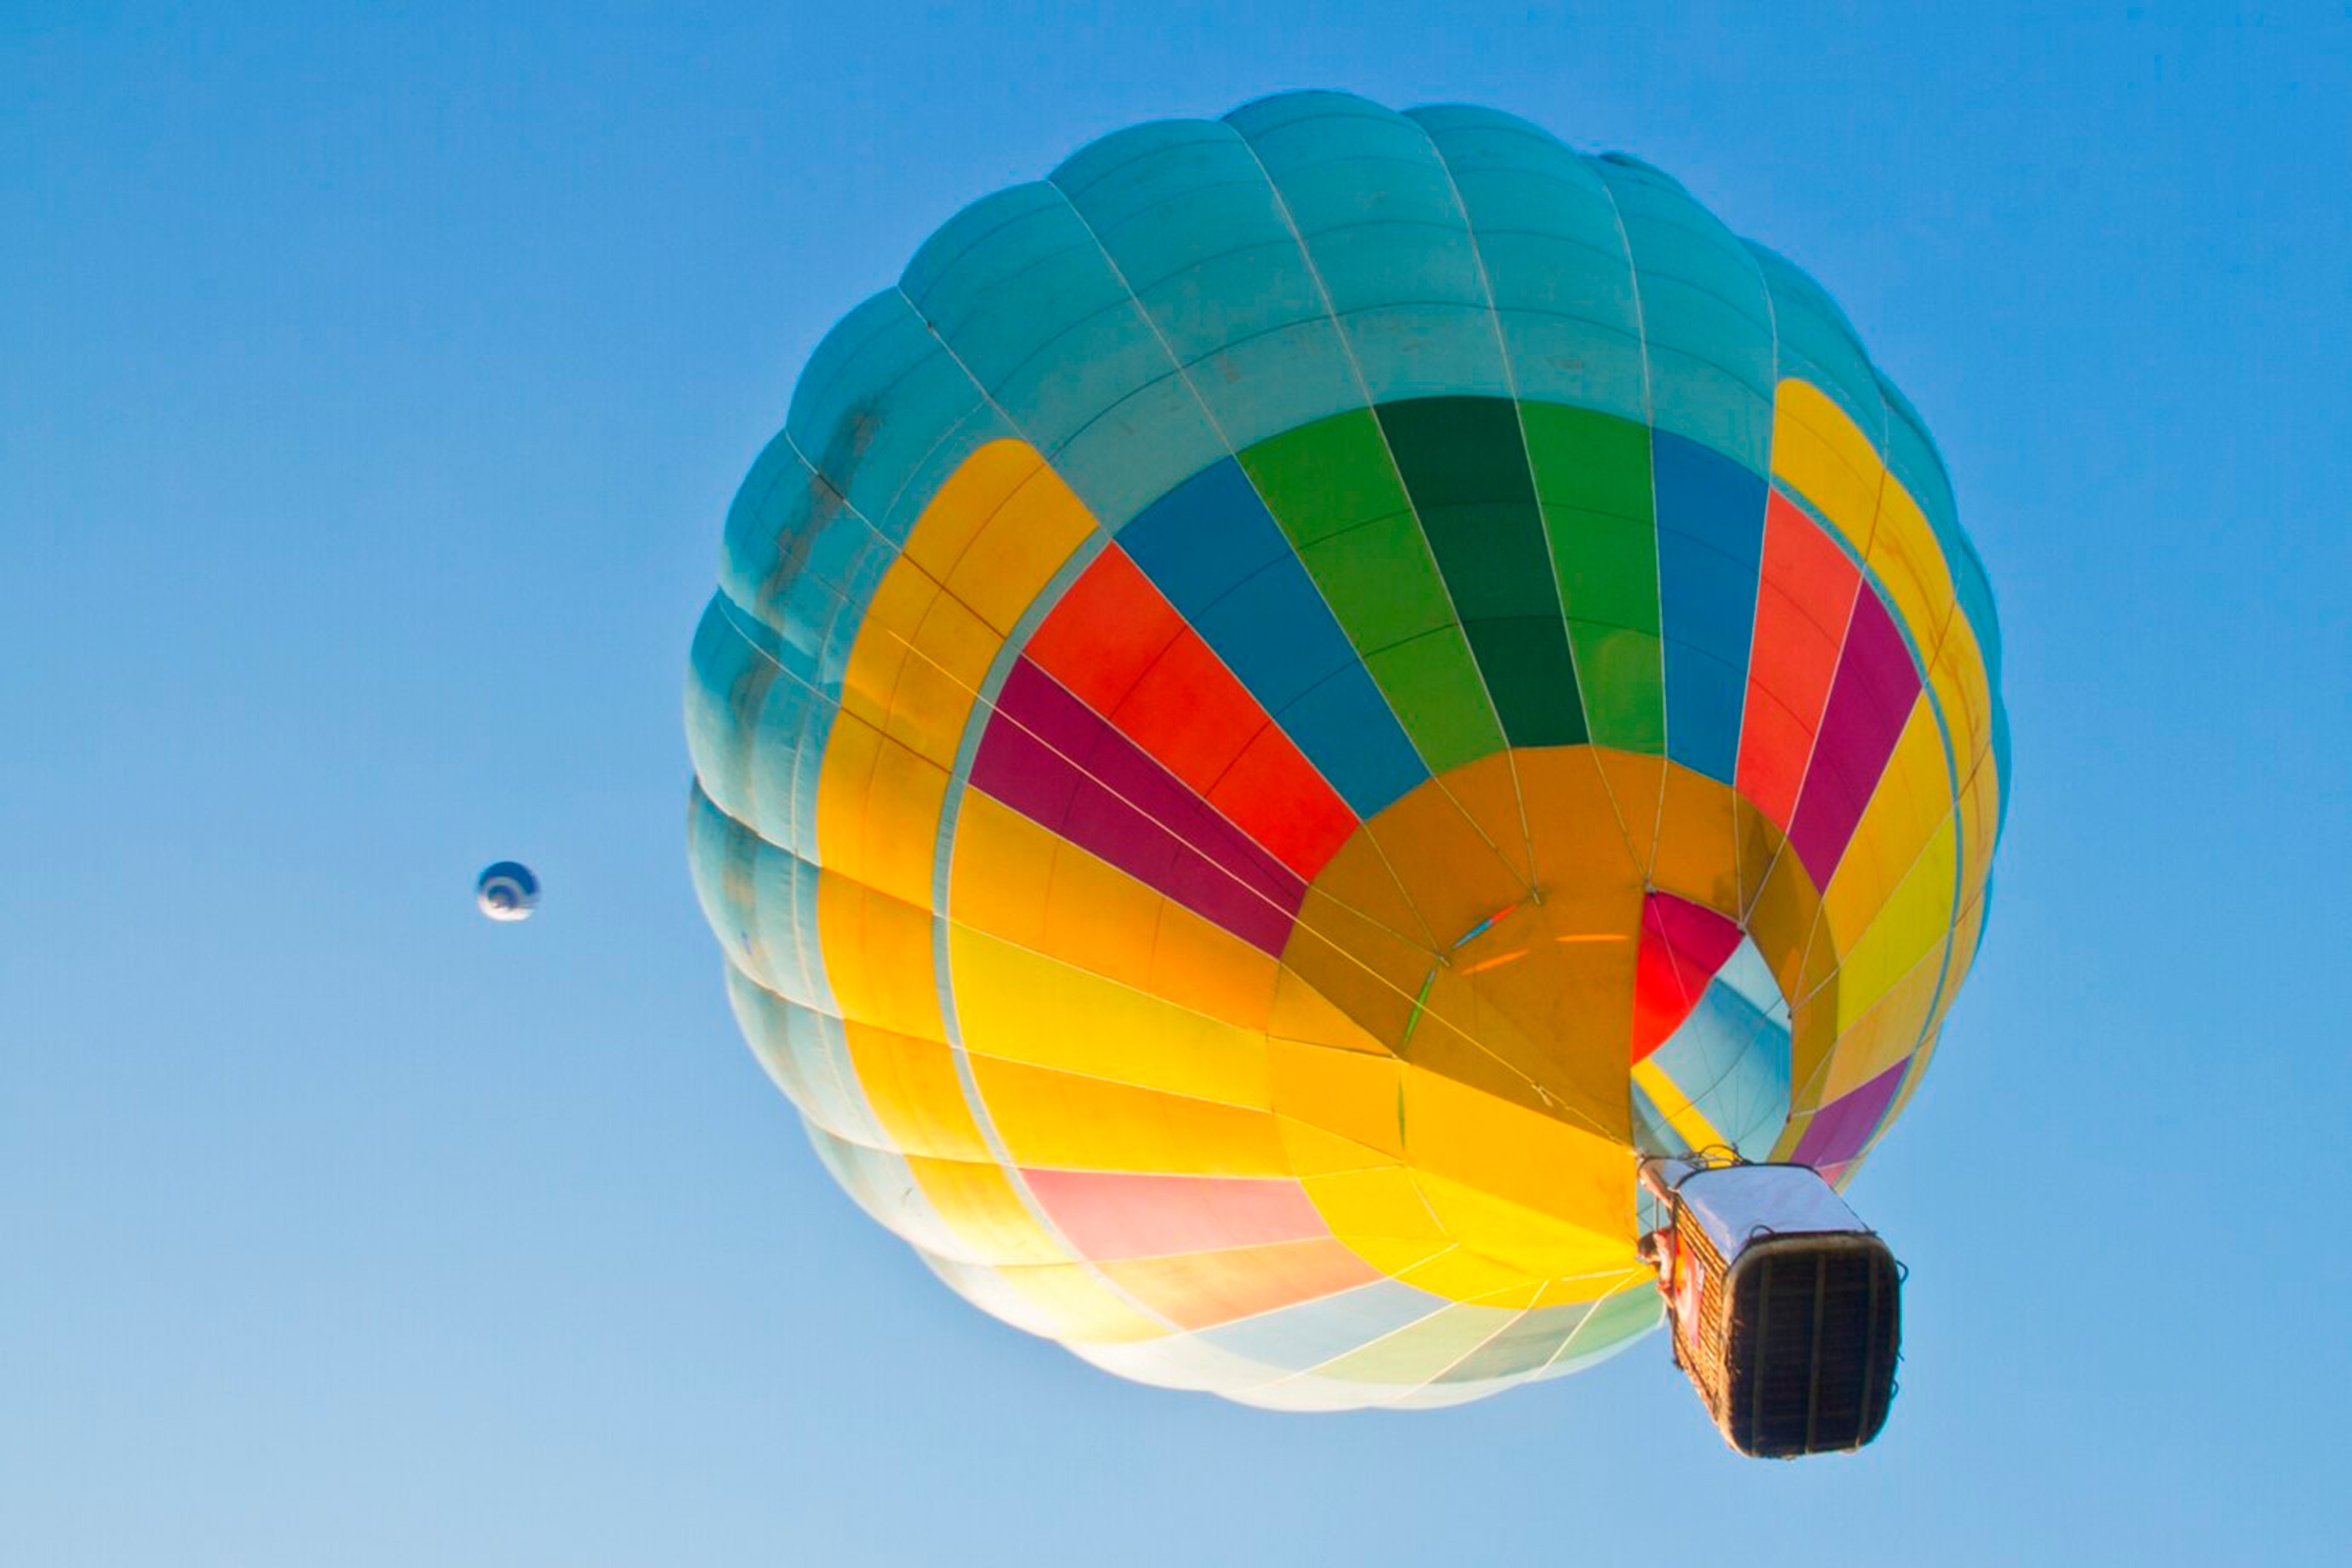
<point>1332,732</point>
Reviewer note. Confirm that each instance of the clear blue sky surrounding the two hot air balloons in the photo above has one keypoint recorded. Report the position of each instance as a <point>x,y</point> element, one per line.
<point>373,384</point>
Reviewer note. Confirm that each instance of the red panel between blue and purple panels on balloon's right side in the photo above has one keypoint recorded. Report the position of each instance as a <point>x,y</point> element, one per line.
<point>1803,610</point>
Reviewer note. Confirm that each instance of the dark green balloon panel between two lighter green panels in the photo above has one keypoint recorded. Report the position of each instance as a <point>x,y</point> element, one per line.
<point>1466,471</point>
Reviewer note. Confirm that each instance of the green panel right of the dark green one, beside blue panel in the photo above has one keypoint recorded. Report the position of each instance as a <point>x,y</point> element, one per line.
<point>1593,476</point>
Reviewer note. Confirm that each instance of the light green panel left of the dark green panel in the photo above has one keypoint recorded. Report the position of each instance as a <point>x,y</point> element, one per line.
<point>1344,509</point>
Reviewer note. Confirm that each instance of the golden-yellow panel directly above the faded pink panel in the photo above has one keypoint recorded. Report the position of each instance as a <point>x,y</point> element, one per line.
<point>1071,1123</point>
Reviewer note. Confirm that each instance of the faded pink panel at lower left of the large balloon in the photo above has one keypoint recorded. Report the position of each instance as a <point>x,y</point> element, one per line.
<point>1147,1217</point>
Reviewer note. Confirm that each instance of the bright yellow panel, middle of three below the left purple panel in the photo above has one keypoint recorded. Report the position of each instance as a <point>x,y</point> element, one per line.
<point>1024,1007</point>
